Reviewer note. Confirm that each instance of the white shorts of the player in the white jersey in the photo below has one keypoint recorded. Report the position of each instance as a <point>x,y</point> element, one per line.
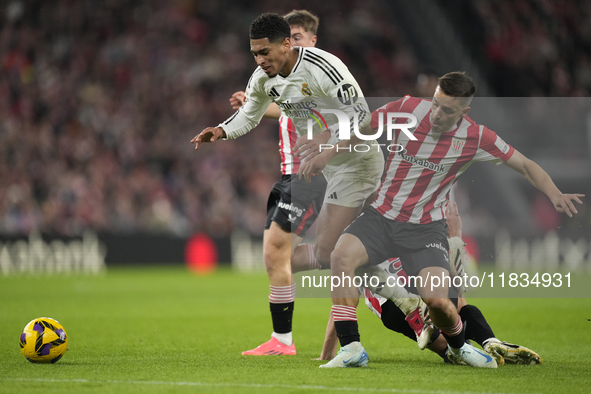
<point>350,185</point>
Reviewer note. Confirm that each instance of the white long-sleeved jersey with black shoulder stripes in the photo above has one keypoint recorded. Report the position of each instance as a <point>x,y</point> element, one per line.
<point>318,80</point>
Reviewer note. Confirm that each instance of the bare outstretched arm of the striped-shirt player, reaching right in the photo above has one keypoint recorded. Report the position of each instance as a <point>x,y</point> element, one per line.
<point>542,181</point>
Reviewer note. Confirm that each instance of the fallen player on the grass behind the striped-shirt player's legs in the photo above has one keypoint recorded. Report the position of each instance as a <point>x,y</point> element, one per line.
<point>393,312</point>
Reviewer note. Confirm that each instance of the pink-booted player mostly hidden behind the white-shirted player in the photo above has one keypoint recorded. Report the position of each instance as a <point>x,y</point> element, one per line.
<point>288,217</point>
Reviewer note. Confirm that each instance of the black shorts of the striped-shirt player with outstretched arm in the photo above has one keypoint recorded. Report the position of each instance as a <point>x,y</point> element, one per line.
<point>418,245</point>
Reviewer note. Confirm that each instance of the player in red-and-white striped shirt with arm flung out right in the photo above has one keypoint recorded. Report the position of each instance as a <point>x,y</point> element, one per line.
<point>407,217</point>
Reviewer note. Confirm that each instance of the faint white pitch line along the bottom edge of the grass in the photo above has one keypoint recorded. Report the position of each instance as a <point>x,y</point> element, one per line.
<point>251,385</point>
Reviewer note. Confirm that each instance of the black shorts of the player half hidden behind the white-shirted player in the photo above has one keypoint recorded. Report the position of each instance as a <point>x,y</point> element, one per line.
<point>294,204</point>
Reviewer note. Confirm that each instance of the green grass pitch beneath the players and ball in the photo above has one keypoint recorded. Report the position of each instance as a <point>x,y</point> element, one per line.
<point>166,330</point>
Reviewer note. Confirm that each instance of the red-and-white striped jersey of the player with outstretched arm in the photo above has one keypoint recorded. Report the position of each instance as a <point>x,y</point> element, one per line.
<point>419,177</point>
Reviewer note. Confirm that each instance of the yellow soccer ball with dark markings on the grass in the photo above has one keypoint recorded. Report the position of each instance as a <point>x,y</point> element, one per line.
<point>43,340</point>
